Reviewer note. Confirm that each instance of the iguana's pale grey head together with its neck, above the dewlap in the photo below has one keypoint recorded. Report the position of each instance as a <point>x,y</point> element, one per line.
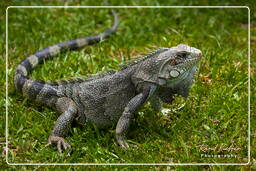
<point>168,66</point>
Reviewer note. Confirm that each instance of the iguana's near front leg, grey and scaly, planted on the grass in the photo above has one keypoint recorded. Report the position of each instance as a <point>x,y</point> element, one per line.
<point>124,121</point>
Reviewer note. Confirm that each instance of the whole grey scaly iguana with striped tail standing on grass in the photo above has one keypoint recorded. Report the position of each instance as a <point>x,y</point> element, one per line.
<point>113,98</point>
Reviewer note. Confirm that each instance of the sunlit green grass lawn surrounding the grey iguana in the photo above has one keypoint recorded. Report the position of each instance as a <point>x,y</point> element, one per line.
<point>216,111</point>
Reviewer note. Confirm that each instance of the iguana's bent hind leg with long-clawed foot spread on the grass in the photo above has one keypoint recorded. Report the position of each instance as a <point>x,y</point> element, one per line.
<point>63,124</point>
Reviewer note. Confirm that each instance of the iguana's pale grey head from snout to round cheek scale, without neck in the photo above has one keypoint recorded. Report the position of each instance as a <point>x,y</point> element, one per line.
<point>177,64</point>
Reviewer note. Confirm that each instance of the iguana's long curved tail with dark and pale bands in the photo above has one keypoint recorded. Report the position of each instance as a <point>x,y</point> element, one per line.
<point>31,88</point>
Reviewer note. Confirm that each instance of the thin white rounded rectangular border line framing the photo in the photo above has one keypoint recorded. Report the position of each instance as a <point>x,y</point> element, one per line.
<point>249,112</point>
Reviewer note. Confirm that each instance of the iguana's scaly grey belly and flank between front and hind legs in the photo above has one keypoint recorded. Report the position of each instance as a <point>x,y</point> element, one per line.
<point>103,100</point>
